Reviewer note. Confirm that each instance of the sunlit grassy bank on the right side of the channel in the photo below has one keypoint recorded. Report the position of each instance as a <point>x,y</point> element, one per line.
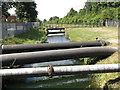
<point>103,33</point>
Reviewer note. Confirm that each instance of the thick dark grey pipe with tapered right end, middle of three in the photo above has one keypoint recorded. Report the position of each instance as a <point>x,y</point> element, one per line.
<point>55,55</point>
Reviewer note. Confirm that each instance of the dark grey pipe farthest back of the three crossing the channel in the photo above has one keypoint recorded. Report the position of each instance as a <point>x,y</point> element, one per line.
<point>50,46</point>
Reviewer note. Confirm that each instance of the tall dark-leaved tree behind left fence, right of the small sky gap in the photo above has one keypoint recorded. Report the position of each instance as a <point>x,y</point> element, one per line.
<point>26,11</point>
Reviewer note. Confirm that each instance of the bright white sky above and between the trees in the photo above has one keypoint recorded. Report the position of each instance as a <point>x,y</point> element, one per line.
<point>60,8</point>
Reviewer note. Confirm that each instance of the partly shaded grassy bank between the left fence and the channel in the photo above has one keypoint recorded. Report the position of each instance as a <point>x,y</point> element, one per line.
<point>36,35</point>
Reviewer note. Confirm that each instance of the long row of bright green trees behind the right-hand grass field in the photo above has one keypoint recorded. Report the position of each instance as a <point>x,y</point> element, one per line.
<point>93,12</point>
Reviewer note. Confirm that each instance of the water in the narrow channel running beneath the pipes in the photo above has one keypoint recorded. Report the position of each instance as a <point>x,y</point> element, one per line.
<point>69,81</point>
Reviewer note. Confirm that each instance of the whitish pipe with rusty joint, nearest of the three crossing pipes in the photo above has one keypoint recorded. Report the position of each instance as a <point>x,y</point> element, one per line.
<point>60,70</point>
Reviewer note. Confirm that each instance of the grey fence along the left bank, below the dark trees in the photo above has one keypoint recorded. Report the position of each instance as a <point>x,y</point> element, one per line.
<point>13,29</point>
